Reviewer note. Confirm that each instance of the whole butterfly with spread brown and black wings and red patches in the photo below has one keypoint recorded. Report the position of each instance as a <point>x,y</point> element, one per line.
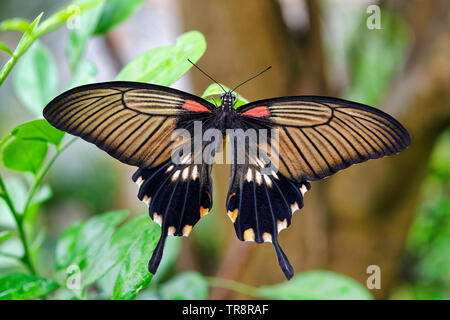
<point>315,138</point>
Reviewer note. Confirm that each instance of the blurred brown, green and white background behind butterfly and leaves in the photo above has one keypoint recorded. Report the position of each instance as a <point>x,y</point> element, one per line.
<point>393,212</point>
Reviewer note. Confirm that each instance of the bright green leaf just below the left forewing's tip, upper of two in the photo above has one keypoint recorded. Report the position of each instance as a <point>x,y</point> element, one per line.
<point>38,129</point>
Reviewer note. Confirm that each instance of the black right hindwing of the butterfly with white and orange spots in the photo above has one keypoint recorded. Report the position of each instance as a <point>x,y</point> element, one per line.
<point>261,201</point>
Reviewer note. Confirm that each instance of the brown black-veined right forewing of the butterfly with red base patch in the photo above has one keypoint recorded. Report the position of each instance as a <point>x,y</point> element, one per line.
<point>319,136</point>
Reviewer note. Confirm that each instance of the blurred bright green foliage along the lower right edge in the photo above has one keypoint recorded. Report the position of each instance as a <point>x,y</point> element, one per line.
<point>427,260</point>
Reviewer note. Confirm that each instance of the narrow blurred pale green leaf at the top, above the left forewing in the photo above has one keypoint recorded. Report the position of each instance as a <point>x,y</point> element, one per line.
<point>79,37</point>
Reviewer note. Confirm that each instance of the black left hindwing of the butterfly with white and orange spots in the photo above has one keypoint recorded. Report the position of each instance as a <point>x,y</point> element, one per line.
<point>177,195</point>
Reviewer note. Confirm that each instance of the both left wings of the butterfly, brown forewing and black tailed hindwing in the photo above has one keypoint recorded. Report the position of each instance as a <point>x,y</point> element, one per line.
<point>135,123</point>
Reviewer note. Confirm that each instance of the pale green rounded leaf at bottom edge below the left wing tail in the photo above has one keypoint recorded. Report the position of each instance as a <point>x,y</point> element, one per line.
<point>185,286</point>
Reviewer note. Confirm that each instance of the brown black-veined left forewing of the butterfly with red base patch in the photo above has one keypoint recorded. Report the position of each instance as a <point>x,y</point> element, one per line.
<point>131,121</point>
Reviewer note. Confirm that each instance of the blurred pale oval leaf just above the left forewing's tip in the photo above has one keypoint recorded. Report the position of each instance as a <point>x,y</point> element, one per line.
<point>36,79</point>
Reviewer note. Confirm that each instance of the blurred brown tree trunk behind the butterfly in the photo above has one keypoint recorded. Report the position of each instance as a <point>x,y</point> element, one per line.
<point>360,216</point>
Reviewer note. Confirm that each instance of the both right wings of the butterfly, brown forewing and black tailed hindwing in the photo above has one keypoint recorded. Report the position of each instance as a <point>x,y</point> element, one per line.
<point>317,137</point>
